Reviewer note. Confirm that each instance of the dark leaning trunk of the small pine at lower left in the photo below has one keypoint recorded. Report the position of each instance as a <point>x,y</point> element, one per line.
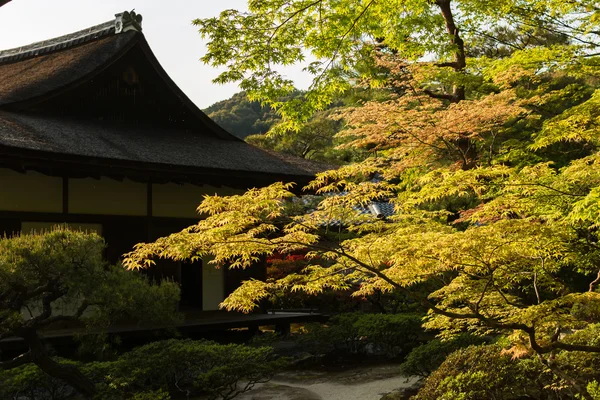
<point>67,373</point>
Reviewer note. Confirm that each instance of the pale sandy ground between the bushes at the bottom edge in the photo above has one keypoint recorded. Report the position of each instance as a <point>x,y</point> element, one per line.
<point>369,383</point>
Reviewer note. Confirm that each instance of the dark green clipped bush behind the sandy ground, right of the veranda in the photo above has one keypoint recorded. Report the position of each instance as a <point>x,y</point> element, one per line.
<point>355,333</point>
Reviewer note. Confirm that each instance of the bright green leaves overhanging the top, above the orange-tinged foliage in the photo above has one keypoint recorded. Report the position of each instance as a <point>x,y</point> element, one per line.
<point>335,41</point>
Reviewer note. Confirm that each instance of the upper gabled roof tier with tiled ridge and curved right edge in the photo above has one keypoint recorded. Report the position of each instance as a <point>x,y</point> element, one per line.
<point>43,70</point>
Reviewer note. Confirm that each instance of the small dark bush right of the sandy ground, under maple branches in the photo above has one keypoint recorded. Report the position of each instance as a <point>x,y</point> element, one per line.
<point>425,359</point>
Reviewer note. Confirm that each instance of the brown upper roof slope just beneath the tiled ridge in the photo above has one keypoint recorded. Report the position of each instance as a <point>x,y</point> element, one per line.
<point>36,76</point>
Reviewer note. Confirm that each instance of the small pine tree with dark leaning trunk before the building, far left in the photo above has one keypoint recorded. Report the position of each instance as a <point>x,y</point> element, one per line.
<point>59,277</point>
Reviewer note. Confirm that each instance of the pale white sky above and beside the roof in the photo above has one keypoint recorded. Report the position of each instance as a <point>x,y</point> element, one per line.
<point>166,25</point>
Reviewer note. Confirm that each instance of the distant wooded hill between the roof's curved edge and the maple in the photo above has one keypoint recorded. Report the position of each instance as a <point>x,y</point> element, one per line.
<point>242,117</point>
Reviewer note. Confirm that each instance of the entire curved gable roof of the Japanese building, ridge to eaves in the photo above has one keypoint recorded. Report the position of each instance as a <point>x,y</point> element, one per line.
<point>35,135</point>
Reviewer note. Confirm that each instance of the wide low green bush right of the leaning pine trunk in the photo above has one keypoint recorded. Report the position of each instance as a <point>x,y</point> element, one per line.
<point>187,367</point>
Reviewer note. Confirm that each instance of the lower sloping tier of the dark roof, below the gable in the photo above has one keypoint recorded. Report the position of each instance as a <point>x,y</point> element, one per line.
<point>142,144</point>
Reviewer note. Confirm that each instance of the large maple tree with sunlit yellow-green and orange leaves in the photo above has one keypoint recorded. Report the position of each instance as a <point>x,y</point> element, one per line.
<point>492,164</point>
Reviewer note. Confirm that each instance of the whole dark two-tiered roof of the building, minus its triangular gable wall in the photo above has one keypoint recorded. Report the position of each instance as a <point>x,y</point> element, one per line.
<point>40,72</point>
